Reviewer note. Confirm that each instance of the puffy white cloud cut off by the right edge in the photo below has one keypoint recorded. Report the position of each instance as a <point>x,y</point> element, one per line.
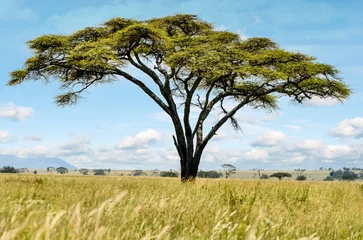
<point>348,128</point>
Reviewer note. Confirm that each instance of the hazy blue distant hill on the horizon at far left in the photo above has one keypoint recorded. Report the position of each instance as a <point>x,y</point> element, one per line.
<point>33,163</point>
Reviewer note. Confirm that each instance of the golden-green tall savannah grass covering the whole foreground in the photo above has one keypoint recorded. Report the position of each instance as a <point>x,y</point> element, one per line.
<point>113,207</point>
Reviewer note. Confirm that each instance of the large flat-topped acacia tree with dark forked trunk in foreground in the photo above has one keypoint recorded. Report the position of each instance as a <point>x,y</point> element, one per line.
<point>187,60</point>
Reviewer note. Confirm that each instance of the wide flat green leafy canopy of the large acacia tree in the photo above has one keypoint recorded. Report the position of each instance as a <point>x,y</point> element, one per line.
<point>96,54</point>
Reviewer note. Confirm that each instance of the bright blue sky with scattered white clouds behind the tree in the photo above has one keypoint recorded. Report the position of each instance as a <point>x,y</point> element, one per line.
<point>116,126</point>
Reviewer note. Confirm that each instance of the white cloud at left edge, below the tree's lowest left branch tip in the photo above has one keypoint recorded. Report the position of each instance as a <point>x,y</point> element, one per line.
<point>13,112</point>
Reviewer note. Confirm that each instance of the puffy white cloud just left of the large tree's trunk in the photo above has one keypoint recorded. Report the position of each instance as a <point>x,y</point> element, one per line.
<point>141,140</point>
